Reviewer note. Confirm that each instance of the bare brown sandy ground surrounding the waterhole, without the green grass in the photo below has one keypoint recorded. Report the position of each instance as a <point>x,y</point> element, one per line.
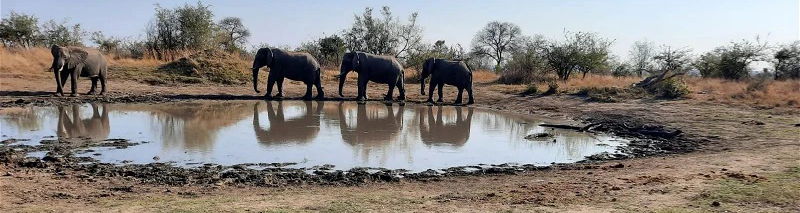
<point>733,148</point>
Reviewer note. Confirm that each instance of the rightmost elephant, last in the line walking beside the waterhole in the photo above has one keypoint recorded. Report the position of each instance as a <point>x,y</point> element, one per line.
<point>442,72</point>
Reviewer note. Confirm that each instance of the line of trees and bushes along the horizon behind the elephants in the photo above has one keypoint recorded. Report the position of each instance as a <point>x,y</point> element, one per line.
<point>499,46</point>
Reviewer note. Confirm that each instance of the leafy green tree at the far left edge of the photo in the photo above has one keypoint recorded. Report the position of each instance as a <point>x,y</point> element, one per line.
<point>19,30</point>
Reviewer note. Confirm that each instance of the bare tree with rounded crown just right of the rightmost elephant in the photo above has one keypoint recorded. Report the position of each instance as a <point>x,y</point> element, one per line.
<point>496,39</point>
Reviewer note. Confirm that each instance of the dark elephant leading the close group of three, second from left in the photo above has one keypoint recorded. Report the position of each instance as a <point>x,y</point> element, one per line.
<point>296,66</point>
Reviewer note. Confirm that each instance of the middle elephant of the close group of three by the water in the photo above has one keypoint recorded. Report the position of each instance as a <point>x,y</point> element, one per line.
<point>375,68</point>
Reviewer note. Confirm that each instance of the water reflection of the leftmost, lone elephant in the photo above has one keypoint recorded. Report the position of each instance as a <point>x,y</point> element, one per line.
<point>96,127</point>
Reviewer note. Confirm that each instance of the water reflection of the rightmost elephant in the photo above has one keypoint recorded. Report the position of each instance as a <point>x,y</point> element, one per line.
<point>434,131</point>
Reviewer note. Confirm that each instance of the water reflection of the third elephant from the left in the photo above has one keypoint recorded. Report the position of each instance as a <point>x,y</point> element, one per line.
<point>370,129</point>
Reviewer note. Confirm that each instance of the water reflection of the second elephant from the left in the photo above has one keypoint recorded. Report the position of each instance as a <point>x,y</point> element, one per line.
<point>284,131</point>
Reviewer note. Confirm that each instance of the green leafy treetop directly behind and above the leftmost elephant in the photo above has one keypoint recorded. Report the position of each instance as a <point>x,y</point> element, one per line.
<point>62,34</point>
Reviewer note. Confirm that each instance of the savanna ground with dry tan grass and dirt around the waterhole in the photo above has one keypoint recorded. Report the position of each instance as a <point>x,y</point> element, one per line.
<point>748,161</point>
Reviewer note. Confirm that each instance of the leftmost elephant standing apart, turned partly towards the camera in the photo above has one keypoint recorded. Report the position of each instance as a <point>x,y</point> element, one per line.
<point>78,61</point>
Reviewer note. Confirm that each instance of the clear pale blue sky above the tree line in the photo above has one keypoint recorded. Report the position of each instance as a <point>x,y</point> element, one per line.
<point>698,24</point>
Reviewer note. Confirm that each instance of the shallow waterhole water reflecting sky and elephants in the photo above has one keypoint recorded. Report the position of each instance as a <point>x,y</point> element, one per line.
<point>343,134</point>
